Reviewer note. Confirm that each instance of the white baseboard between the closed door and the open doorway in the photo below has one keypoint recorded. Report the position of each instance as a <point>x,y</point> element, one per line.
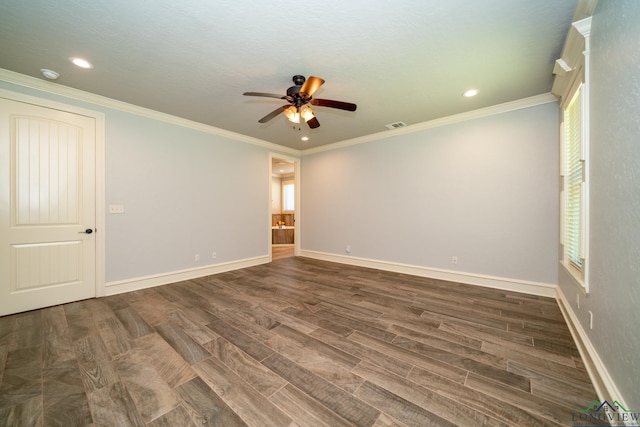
<point>128,285</point>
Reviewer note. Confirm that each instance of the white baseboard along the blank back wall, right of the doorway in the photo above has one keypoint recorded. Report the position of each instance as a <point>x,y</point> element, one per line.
<point>531,288</point>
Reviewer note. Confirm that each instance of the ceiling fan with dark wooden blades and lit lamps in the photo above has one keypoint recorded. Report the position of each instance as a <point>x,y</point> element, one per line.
<point>299,97</point>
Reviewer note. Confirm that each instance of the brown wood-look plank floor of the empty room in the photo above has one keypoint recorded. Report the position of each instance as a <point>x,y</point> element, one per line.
<point>294,342</point>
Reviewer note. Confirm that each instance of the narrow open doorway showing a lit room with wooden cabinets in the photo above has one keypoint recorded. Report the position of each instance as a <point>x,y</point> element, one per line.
<point>283,214</point>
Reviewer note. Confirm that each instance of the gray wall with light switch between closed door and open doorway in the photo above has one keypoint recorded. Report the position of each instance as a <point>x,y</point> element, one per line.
<point>185,192</point>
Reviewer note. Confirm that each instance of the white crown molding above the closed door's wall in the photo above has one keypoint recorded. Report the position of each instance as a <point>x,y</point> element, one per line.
<point>102,101</point>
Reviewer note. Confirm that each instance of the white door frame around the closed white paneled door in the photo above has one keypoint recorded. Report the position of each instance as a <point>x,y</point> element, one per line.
<point>99,118</point>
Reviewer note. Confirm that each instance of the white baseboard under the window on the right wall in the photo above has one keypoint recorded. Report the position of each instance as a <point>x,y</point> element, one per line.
<point>602,381</point>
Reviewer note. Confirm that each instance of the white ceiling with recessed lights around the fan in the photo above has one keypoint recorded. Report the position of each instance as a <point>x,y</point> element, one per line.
<point>407,60</point>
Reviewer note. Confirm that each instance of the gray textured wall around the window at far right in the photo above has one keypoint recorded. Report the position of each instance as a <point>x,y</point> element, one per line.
<point>614,229</point>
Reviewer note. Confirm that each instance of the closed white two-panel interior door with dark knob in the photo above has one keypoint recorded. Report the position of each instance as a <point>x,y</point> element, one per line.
<point>47,207</point>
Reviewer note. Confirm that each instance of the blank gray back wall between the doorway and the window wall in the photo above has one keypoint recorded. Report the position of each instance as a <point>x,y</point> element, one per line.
<point>485,190</point>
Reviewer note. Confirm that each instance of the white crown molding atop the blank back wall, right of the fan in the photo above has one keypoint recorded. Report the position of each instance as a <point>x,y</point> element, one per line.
<point>444,121</point>
